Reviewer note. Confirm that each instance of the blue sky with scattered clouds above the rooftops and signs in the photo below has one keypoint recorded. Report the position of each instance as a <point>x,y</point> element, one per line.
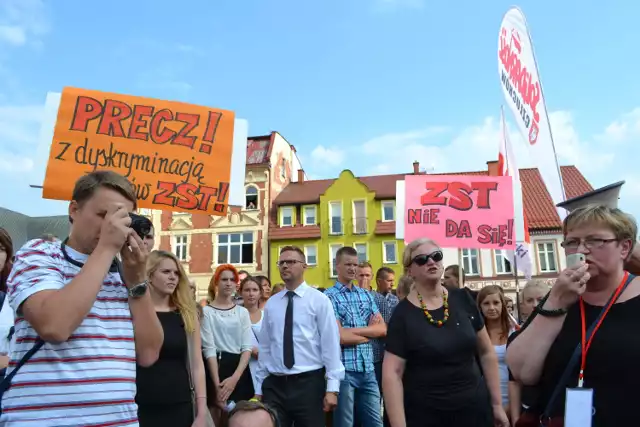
<point>340,79</point>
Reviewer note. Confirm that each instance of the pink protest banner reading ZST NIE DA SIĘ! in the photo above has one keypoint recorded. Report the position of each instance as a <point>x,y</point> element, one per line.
<point>460,211</point>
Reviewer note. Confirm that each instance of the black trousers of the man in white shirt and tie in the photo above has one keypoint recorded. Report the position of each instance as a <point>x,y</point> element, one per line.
<point>296,398</point>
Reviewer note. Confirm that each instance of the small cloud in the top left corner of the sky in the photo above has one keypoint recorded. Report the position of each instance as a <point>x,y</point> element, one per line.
<point>22,21</point>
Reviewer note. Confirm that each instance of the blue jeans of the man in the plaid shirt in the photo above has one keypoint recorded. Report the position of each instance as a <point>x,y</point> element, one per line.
<point>358,390</point>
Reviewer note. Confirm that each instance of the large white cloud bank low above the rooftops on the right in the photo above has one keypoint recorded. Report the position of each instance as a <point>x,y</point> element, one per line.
<point>441,150</point>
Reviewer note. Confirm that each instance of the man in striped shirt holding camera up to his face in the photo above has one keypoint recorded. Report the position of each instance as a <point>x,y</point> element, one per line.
<point>92,311</point>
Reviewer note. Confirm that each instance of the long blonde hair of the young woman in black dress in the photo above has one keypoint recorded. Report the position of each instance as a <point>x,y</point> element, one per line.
<point>181,297</point>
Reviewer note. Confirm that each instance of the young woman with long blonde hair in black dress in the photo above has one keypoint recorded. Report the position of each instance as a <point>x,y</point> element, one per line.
<point>164,389</point>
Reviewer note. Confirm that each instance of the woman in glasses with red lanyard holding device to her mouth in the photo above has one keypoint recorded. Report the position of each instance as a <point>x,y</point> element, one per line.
<point>584,333</point>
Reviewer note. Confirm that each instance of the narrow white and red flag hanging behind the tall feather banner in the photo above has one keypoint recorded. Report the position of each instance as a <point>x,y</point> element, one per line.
<point>520,257</point>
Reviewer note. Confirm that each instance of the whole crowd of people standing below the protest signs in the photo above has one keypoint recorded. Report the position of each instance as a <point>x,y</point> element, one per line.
<point>99,329</point>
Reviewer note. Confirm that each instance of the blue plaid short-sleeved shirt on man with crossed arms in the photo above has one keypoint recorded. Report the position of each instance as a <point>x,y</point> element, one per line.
<point>354,308</point>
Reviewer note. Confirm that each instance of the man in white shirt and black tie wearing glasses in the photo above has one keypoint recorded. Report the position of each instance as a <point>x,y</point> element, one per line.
<point>299,345</point>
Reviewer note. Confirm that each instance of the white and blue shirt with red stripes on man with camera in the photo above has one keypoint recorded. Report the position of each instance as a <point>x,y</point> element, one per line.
<point>87,381</point>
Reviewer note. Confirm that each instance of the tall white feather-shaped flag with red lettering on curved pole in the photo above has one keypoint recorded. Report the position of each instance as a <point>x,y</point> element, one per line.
<point>523,91</point>
